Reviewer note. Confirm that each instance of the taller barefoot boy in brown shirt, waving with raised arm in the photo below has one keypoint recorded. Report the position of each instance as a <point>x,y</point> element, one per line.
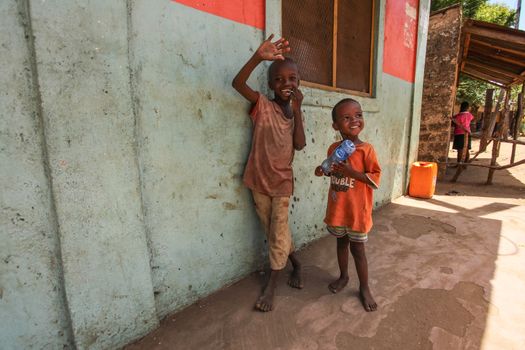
<point>277,131</point>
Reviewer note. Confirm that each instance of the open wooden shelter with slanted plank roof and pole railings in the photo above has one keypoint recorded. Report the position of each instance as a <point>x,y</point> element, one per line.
<point>495,54</point>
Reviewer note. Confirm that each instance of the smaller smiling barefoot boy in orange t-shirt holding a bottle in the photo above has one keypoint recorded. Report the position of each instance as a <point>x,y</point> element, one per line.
<point>349,209</point>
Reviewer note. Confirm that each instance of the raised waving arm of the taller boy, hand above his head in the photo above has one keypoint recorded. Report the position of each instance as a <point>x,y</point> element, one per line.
<point>266,51</point>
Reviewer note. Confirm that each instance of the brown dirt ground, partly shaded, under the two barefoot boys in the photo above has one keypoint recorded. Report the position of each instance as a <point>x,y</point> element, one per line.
<point>447,272</point>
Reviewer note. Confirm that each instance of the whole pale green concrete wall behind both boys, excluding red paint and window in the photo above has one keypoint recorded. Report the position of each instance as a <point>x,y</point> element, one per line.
<point>122,150</point>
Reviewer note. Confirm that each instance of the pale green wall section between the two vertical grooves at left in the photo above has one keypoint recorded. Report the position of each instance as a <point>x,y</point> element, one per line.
<point>84,81</point>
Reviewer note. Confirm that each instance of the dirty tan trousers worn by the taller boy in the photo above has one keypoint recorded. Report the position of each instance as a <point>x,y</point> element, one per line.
<point>273,213</point>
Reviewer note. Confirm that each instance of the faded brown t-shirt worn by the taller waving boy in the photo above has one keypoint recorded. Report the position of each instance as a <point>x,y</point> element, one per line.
<point>269,167</point>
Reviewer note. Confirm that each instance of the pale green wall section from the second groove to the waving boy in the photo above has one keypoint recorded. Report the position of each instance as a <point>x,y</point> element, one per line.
<point>194,138</point>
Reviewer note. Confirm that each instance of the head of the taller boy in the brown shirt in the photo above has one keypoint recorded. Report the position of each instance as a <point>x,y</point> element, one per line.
<point>283,79</point>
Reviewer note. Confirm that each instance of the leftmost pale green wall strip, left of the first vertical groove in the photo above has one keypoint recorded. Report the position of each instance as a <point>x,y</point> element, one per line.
<point>32,308</point>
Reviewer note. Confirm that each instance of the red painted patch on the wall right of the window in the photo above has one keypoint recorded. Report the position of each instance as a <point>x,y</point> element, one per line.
<point>399,58</point>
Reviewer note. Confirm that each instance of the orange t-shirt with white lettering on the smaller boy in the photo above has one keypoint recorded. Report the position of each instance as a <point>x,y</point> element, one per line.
<point>350,201</point>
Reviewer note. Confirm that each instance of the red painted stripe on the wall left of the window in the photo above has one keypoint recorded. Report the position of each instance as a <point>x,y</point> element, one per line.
<point>249,12</point>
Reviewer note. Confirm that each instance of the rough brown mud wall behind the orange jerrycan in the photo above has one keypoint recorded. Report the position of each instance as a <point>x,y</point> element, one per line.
<point>439,87</point>
